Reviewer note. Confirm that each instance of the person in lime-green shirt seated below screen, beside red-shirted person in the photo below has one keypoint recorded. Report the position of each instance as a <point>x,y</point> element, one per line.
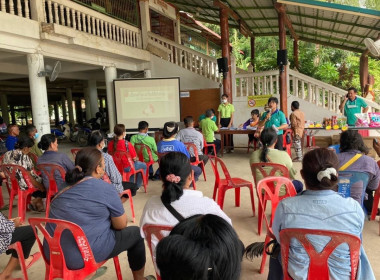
<point>143,138</point>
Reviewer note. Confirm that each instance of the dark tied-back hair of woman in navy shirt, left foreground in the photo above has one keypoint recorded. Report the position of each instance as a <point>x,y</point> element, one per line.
<point>86,161</point>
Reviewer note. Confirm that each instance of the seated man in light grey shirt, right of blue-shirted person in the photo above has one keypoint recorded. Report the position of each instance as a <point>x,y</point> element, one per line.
<point>191,135</point>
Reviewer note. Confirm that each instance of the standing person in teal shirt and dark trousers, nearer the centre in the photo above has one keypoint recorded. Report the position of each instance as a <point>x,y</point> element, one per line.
<point>276,119</point>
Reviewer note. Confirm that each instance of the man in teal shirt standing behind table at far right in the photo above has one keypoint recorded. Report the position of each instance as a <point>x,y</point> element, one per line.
<point>352,105</point>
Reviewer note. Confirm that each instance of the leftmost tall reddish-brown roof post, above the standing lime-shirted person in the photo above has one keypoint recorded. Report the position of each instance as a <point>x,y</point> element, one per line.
<point>225,37</point>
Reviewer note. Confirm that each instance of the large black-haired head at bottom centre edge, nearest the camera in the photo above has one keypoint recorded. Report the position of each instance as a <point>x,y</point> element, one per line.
<point>201,247</point>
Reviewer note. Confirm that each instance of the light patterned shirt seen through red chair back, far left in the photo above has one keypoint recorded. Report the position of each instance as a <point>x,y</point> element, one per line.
<point>18,158</point>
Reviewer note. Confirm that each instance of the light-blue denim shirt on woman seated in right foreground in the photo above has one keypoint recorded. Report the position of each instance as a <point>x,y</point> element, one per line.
<point>324,210</point>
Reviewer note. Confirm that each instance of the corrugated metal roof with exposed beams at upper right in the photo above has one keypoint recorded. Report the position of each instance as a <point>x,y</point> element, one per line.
<point>330,24</point>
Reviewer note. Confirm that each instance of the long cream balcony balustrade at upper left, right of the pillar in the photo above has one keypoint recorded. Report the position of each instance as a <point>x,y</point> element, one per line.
<point>78,17</point>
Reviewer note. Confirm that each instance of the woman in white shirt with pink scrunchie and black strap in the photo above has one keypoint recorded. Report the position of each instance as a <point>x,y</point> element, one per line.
<point>175,171</point>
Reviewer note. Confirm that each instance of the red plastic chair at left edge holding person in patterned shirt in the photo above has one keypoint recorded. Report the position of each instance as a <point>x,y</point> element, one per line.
<point>23,195</point>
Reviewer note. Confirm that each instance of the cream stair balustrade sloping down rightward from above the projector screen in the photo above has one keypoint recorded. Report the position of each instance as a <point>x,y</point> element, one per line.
<point>187,58</point>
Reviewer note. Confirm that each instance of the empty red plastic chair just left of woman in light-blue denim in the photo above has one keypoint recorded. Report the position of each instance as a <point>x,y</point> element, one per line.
<point>265,186</point>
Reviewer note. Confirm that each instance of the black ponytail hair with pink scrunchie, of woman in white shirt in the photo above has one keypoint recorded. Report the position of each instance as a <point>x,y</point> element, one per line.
<point>175,168</point>
